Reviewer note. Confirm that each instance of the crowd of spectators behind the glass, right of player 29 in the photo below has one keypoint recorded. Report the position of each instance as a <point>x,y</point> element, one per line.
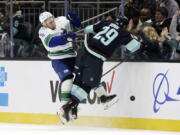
<point>157,25</point>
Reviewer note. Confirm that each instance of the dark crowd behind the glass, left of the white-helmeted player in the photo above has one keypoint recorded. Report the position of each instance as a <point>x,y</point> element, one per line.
<point>25,38</point>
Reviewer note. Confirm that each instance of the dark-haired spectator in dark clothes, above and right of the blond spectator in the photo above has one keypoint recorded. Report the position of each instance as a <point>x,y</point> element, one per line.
<point>161,20</point>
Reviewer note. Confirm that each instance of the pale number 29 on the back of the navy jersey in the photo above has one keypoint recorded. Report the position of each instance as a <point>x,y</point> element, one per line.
<point>107,35</point>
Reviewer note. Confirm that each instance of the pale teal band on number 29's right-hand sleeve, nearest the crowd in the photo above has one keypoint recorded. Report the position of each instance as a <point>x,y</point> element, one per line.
<point>133,46</point>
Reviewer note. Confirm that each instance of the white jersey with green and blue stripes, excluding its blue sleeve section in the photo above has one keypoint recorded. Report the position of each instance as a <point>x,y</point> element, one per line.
<point>60,51</point>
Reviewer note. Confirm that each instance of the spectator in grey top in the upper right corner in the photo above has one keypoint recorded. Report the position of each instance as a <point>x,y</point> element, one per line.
<point>171,6</point>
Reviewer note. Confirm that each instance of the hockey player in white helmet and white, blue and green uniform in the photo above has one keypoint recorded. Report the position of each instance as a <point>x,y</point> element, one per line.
<point>57,38</point>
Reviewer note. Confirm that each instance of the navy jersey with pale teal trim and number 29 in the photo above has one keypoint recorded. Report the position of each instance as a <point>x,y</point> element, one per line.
<point>107,37</point>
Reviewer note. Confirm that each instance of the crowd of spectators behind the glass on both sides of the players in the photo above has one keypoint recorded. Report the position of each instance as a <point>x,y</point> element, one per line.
<point>156,23</point>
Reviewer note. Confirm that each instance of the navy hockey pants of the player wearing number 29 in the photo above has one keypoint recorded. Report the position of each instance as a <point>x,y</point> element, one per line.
<point>88,70</point>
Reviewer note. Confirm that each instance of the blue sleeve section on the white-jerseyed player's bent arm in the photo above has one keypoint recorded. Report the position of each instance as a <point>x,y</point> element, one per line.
<point>57,40</point>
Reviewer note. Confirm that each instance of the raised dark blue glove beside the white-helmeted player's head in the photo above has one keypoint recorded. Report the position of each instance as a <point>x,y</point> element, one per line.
<point>74,18</point>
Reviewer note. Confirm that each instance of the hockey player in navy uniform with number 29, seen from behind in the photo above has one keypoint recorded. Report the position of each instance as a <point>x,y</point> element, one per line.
<point>108,35</point>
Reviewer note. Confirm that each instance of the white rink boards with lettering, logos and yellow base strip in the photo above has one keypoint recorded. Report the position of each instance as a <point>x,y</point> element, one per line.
<point>149,96</point>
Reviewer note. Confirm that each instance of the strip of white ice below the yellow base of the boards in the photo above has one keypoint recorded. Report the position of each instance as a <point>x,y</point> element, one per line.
<point>23,129</point>
